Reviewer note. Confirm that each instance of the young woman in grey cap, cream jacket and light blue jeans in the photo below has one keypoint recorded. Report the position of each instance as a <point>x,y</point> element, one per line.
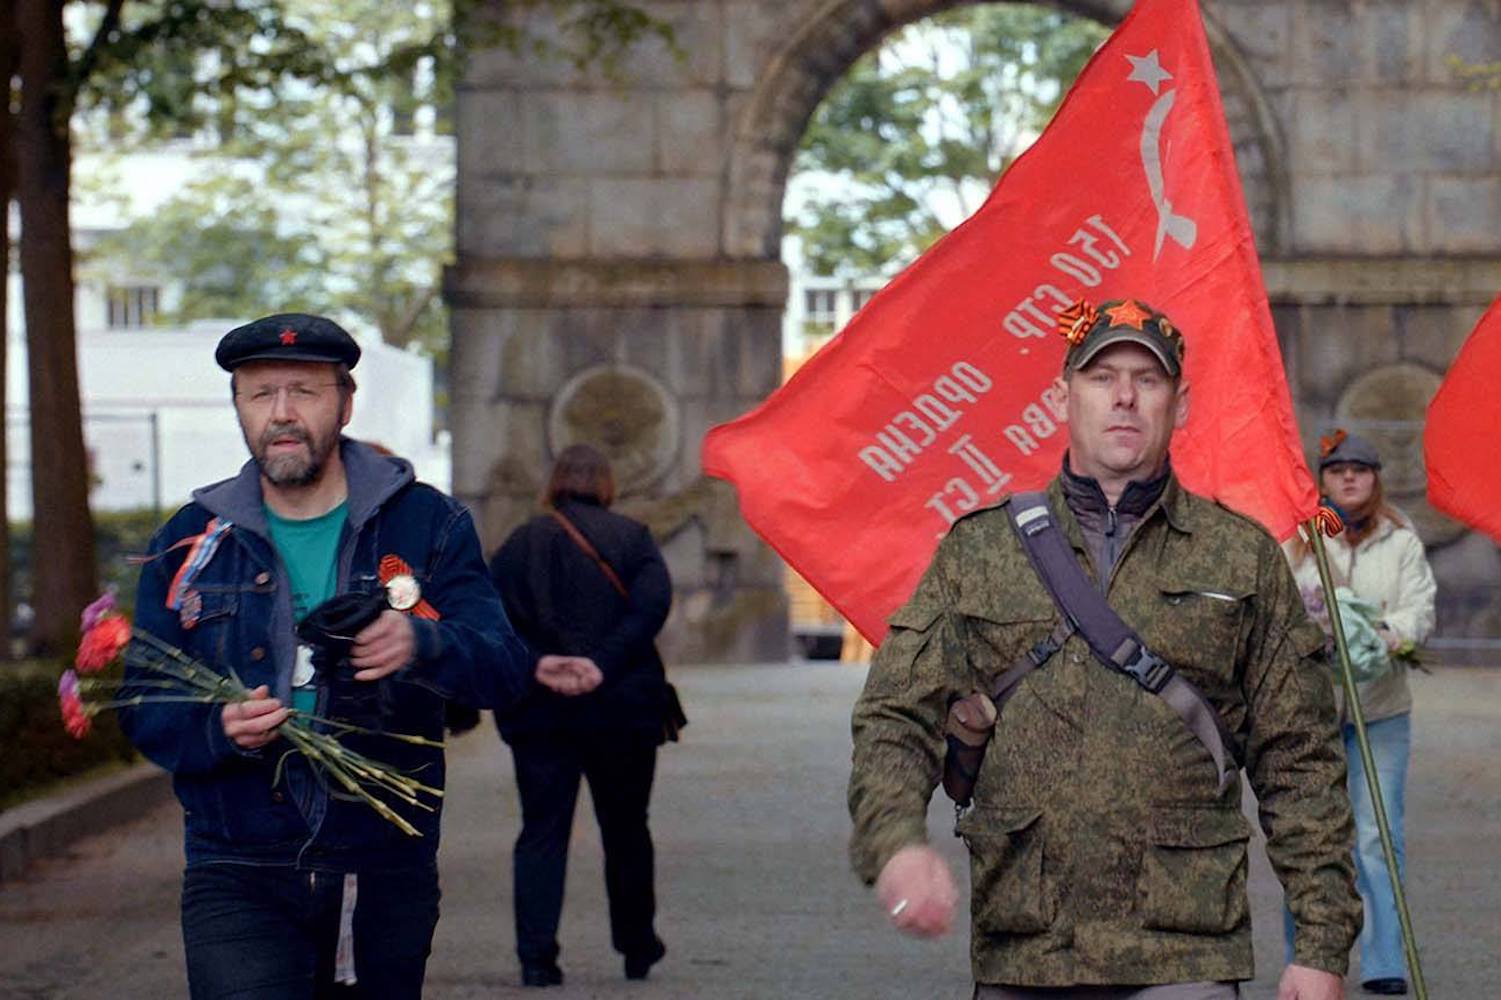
<point>1380,559</point>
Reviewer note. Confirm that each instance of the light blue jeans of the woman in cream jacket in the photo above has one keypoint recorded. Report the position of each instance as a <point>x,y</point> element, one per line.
<point>1382,936</point>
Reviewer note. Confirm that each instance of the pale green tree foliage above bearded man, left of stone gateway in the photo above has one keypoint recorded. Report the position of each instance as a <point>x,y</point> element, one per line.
<point>329,206</point>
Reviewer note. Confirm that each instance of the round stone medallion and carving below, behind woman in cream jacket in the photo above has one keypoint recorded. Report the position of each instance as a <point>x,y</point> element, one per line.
<point>1388,406</point>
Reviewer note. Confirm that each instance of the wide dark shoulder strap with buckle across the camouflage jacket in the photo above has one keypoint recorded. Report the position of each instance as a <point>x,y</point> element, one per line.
<point>1110,639</point>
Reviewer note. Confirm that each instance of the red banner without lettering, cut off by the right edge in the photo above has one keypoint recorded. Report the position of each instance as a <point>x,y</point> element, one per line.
<point>1464,481</point>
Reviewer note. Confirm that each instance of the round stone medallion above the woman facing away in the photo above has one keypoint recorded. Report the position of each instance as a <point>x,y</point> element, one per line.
<point>627,414</point>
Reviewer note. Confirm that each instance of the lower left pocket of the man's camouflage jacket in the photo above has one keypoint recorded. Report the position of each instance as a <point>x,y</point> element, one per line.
<point>1008,888</point>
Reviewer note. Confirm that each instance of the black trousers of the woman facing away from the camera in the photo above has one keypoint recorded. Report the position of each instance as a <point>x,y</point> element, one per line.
<point>619,770</point>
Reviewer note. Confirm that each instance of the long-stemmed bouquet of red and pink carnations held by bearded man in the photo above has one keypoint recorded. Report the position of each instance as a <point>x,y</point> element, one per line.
<point>169,675</point>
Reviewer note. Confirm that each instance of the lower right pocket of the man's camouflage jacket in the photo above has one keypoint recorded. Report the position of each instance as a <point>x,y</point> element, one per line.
<point>1194,872</point>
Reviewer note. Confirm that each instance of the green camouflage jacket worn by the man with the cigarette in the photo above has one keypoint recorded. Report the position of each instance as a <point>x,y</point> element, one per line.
<point>1101,848</point>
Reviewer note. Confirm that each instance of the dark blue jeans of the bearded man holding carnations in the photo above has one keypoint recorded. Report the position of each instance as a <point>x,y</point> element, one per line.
<point>271,932</point>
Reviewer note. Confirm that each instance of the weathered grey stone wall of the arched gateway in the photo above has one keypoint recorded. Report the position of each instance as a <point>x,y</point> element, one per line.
<point>618,268</point>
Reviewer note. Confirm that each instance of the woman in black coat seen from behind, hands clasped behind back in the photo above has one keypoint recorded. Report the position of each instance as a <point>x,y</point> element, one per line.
<point>606,606</point>
